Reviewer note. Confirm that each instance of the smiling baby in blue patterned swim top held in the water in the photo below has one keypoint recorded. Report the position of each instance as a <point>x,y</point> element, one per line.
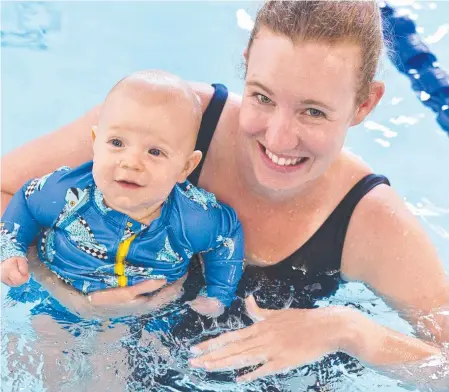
<point>130,214</point>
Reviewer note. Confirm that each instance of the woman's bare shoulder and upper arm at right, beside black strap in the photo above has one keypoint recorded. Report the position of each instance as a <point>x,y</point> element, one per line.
<point>387,248</point>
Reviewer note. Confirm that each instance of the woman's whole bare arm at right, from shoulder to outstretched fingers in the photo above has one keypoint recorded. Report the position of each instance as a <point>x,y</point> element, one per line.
<point>387,249</point>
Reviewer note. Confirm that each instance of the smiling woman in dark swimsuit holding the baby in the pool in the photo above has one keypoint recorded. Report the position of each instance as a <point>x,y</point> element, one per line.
<point>312,212</point>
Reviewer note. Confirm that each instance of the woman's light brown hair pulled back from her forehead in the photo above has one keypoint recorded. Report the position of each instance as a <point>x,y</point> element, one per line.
<point>331,22</point>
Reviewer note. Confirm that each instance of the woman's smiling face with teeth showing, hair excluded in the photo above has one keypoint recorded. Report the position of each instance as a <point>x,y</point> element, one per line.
<point>298,103</point>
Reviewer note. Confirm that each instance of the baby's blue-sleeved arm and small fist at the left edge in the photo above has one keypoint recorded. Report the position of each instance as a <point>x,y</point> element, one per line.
<point>21,223</point>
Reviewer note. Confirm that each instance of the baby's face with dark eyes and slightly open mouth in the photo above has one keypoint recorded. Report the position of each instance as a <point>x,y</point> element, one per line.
<point>141,149</point>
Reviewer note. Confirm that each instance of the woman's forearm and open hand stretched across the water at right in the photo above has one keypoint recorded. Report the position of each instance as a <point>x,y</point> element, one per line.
<point>281,340</point>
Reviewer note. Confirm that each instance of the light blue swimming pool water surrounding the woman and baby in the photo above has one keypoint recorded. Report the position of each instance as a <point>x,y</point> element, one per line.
<point>59,59</point>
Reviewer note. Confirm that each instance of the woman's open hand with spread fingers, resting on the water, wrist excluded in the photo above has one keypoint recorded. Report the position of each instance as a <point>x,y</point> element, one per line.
<point>279,339</point>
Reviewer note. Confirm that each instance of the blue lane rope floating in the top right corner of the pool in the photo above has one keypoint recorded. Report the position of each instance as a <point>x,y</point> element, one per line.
<point>412,57</point>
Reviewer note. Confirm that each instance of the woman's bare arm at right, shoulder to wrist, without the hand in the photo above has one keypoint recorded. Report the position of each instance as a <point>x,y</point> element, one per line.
<point>387,249</point>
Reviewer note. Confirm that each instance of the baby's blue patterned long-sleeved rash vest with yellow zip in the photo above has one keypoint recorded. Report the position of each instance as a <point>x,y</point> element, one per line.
<point>93,247</point>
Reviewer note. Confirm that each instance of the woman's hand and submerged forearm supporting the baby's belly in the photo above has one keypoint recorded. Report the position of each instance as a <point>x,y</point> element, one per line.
<point>116,302</point>
